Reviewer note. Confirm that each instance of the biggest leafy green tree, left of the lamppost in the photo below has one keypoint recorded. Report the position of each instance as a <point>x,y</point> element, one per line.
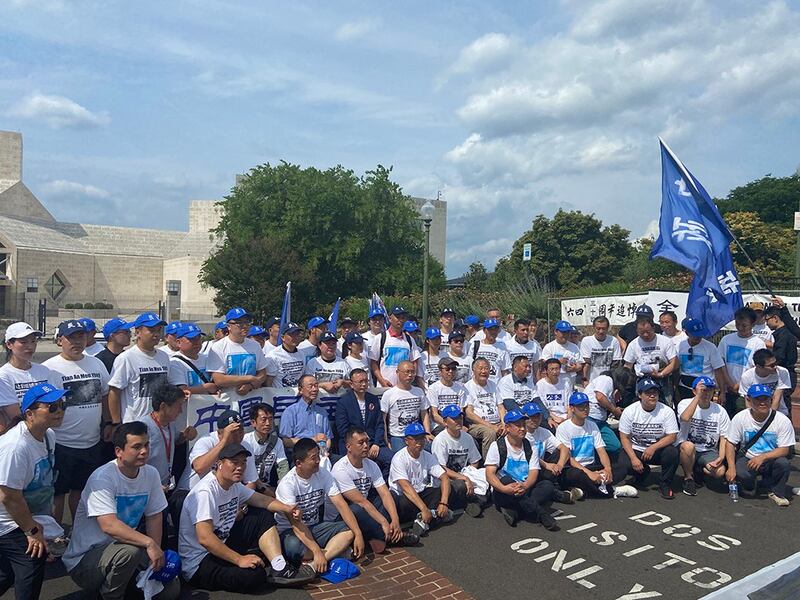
<point>348,235</point>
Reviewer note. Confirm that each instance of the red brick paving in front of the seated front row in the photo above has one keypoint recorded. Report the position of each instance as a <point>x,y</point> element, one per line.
<point>396,575</point>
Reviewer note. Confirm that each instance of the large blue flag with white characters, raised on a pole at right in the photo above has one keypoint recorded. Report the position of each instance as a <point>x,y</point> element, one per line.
<point>694,235</point>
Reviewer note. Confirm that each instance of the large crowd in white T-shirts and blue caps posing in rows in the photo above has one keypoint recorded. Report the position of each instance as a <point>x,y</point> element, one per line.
<point>425,425</point>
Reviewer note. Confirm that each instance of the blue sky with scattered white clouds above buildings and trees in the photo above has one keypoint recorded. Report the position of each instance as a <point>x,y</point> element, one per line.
<point>131,109</point>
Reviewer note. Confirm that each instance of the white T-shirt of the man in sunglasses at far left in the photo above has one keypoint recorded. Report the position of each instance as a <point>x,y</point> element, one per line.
<point>26,466</point>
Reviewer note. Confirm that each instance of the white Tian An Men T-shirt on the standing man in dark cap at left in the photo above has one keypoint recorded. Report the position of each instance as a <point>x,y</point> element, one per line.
<point>87,379</point>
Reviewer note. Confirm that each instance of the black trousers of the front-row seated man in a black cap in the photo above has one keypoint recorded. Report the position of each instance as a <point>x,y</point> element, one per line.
<point>217,574</point>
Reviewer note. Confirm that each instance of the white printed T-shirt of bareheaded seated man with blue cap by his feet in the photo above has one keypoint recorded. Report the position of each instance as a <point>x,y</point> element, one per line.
<point>309,494</point>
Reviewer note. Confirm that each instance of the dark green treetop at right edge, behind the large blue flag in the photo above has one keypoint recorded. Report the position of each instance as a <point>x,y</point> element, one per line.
<point>773,199</point>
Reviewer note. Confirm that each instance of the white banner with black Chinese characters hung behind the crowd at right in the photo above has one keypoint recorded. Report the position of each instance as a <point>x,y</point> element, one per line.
<point>620,309</point>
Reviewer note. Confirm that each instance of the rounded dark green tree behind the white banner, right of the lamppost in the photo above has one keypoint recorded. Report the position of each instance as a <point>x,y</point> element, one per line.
<point>571,249</point>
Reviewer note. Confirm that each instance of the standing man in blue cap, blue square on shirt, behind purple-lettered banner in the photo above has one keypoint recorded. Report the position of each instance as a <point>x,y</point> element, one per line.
<point>236,363</point>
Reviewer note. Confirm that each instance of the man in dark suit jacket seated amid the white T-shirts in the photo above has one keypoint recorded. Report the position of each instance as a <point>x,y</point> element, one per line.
<point>359,408</point>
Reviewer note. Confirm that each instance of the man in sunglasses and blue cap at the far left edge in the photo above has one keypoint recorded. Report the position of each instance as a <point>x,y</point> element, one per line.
<point>27,456</point>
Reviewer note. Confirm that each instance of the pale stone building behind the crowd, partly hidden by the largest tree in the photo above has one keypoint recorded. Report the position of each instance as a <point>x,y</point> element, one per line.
<point>131,268</point>
